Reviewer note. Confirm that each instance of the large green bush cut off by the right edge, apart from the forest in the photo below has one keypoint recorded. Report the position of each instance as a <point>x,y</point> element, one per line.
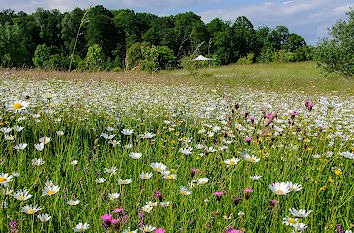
<point>337,54</point>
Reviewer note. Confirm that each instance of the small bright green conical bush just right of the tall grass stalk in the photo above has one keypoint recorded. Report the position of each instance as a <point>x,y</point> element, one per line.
<point>94,60</point>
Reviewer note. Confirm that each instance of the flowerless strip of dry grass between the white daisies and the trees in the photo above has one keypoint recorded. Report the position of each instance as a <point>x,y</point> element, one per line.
<point>304,76</point>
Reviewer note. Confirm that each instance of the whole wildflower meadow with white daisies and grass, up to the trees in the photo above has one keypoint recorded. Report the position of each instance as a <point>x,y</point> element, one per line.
<point>241,148</point>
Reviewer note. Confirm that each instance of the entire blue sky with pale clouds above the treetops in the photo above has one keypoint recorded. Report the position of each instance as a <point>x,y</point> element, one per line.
<point>308,18</point>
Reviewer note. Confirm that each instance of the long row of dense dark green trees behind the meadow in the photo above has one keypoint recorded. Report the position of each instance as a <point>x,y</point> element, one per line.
<point>102,39</point>
